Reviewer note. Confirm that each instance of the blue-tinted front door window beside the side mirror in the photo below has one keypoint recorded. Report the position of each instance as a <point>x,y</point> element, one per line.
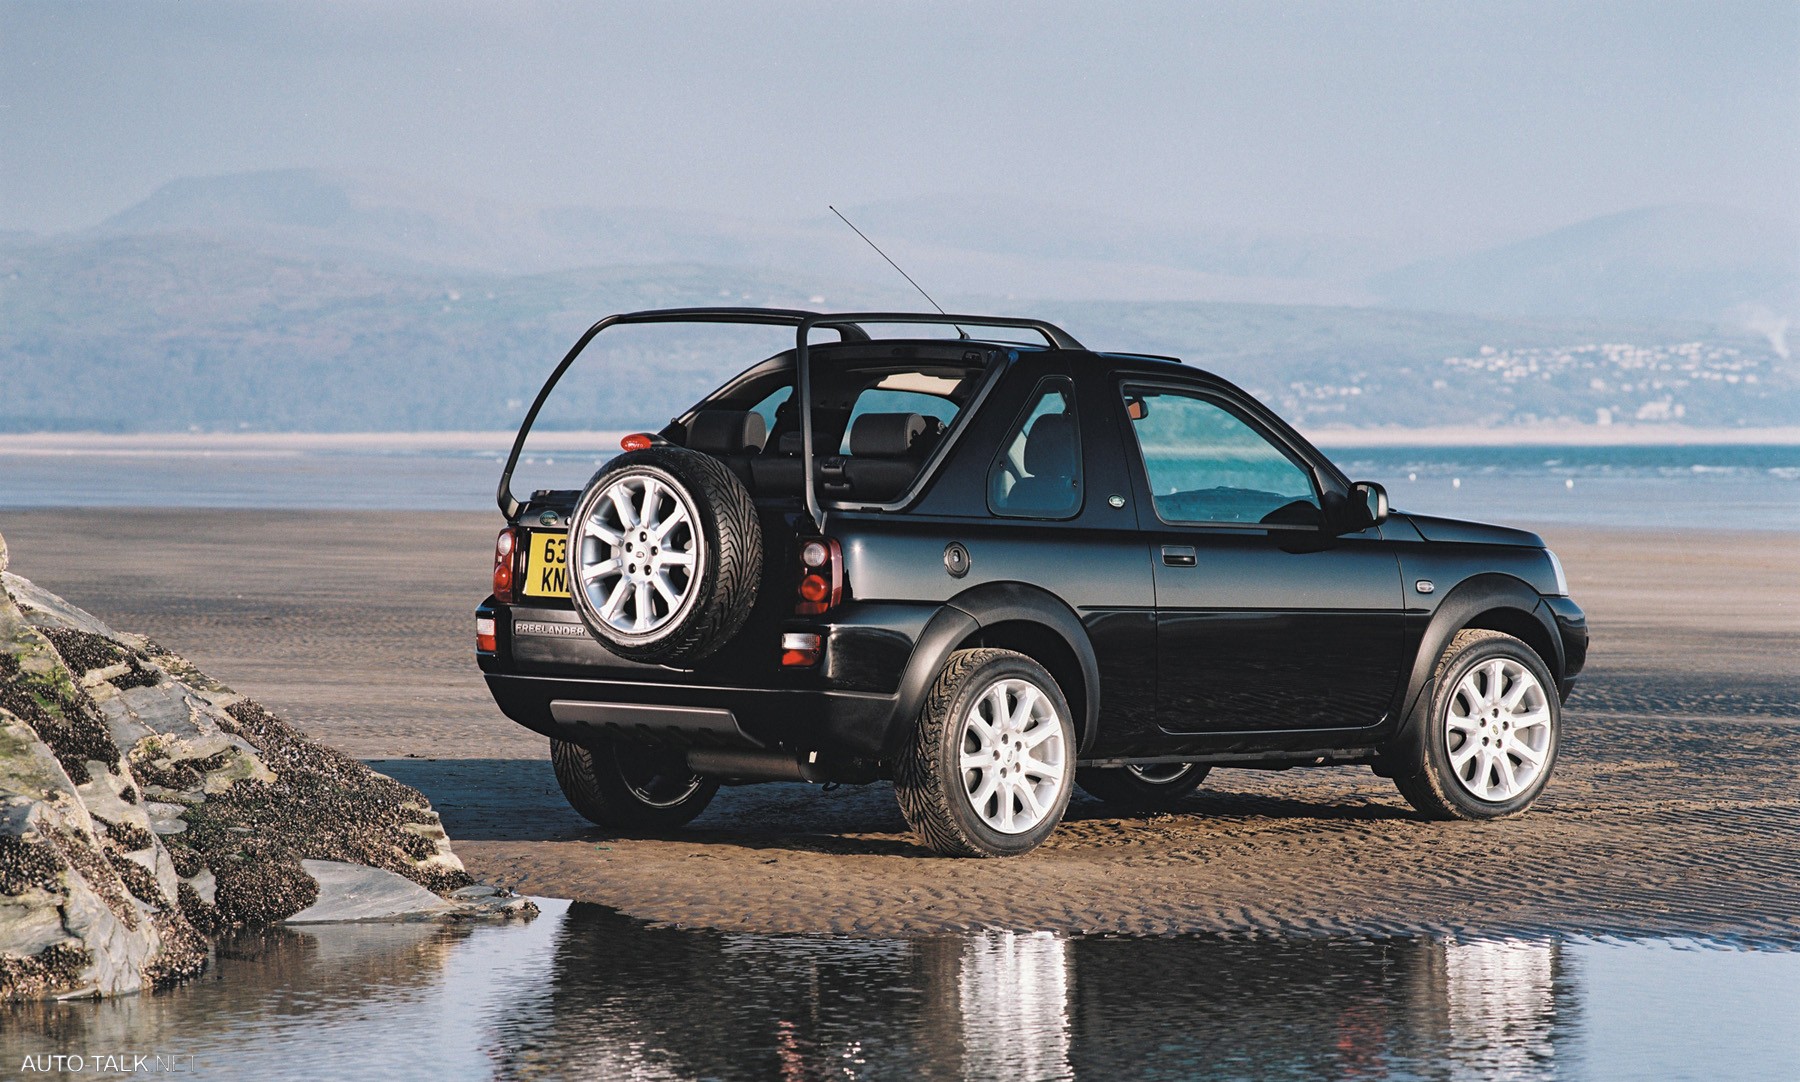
<point>1209,465</point>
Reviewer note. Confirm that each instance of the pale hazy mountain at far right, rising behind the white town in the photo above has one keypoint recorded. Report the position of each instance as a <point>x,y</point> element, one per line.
<point>1680,262</point>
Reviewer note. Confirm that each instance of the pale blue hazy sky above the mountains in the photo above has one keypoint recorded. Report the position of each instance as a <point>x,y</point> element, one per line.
<point>1453,125</point>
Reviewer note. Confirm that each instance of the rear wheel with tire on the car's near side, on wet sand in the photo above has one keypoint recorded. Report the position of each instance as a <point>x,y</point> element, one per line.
<point>991,764</point>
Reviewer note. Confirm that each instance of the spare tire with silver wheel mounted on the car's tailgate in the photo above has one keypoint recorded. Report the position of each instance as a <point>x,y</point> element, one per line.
<point>665,555</point>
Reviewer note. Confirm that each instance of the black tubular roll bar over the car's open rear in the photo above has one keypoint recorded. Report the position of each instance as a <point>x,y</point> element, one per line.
<point>849,329</point>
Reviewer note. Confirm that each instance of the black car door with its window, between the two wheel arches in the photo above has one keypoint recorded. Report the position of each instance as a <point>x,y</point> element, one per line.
<point>1264,618</point>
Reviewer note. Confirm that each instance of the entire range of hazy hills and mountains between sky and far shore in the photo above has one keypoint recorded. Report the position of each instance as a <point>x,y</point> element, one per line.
<point>321,302</point>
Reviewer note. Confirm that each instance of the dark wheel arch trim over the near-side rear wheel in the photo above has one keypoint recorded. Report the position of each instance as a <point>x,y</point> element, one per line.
<point>1012,617</point>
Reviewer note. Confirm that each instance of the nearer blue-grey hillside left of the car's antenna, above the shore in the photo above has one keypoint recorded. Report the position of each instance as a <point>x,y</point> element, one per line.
<point>166,332</point>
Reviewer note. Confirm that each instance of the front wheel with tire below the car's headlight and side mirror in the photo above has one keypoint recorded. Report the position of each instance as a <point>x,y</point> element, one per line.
<point>1489,741</point>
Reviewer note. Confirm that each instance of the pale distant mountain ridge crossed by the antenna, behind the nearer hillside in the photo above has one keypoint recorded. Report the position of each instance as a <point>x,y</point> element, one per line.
<point>951,246</point>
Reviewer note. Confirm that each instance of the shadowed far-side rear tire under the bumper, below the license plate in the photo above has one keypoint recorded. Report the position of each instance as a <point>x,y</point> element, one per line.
<point>629,786</point>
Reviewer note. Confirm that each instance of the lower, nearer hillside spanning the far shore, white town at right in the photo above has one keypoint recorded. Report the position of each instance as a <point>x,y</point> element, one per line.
<point>157,332</point>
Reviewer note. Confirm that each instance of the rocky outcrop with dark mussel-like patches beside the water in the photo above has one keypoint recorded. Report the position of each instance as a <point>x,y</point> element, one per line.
<point>145,807</point>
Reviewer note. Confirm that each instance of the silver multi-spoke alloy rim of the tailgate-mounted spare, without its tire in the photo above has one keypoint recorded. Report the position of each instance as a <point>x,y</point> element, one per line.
<point>638,554</point>
